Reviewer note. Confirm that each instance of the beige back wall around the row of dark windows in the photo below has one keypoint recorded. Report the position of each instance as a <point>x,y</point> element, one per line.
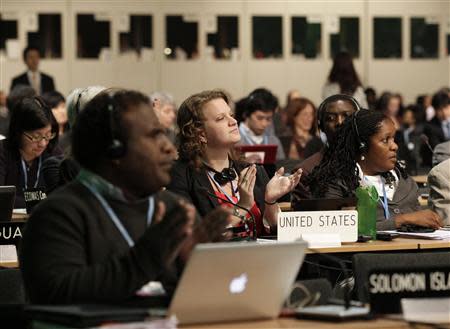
<point>407,76</point>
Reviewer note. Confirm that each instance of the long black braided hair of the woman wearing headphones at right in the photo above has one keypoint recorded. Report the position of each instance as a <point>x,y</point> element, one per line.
<point>339,160</point>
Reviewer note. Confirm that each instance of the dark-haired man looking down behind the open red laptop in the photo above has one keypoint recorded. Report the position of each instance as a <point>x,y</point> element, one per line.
<point>254,130</point>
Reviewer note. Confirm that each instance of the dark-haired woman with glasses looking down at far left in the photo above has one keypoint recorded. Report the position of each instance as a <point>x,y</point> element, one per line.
<point>32,137</point>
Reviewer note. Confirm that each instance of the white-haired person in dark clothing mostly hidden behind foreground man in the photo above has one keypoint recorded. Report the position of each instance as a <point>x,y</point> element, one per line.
<point>58,170</point>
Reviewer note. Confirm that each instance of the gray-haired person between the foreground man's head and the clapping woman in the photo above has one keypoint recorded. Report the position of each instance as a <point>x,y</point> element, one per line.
<point>164,107</point>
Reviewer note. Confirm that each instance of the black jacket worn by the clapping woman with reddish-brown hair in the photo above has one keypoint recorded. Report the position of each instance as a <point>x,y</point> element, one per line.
<point>191,183</point>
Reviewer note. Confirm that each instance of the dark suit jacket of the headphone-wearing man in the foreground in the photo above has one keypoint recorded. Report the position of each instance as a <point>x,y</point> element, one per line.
<point>73,253</point>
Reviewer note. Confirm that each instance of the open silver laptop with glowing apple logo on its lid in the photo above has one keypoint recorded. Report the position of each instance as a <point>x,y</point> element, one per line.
<point>236,281</point>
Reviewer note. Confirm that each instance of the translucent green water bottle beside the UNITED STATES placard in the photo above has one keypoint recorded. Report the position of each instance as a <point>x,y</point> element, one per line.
<point>367,211</point>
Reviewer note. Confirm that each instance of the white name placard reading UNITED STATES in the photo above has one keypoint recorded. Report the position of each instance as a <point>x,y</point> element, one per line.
<point>292,224</point>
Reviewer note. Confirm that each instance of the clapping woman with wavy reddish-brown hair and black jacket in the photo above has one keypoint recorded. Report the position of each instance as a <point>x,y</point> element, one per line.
<point>207,166</point>
